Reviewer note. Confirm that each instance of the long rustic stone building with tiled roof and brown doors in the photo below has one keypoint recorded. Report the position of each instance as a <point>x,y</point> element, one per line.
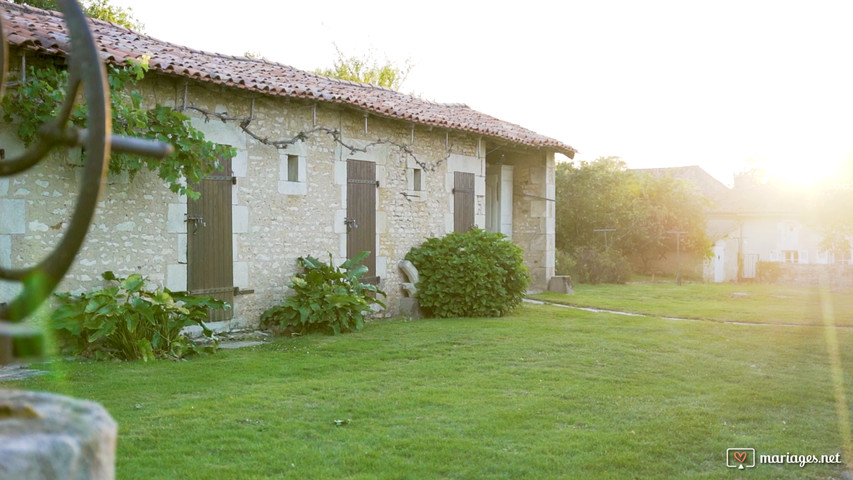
<point>357,167</point>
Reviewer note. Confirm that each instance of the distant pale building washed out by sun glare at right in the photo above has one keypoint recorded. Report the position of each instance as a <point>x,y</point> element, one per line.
<point>758,222</point>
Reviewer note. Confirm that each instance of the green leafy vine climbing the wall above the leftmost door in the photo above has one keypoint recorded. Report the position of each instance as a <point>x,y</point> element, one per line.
<point>38,99</point>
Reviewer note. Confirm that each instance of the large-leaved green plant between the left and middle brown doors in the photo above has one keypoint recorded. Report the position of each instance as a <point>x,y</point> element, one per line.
<point>328,298</point>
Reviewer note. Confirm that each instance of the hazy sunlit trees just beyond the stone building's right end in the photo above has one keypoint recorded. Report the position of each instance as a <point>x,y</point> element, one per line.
<point>641,212</point>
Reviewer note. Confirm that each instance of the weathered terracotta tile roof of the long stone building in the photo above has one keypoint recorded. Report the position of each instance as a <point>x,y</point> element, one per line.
<point>44,31</point>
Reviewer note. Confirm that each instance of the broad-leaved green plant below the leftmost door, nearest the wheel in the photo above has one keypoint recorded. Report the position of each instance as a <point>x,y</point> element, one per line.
<point>129,322</point>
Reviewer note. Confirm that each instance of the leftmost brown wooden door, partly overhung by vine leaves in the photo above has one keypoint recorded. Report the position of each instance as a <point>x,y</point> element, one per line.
<point>210,262</point>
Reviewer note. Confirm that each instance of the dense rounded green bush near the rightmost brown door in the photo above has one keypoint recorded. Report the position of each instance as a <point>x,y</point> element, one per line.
<point>472,274</point>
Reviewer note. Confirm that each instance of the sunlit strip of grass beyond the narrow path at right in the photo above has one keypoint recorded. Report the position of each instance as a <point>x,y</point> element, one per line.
<point>722,302</point>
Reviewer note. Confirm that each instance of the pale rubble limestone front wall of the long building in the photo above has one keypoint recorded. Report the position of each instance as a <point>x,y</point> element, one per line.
<point>287,202</point>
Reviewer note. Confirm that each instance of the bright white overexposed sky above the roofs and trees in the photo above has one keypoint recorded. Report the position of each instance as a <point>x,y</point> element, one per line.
<point>726,85</point>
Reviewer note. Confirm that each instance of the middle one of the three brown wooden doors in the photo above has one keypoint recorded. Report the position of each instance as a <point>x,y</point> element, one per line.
<point>361,214</point>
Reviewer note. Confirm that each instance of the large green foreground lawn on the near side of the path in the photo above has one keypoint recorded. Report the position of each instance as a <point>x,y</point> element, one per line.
<point>548,392</point>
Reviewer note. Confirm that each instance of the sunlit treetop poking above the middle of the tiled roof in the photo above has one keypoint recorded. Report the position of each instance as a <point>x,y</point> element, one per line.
<point>367,69</point>
